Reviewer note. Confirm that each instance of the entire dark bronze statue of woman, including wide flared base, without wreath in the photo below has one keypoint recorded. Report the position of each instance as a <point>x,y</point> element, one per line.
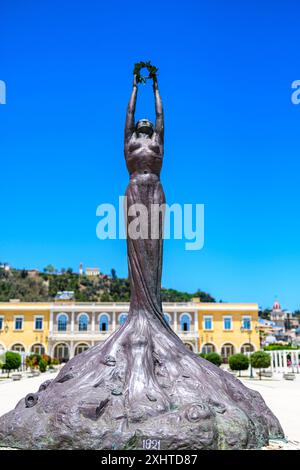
<point>142,388</point>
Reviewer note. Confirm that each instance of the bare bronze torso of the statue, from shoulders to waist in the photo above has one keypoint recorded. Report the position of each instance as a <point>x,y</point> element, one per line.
<point>144,154</point>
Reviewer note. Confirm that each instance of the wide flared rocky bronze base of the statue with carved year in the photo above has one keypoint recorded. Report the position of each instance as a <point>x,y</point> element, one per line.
<point>140,389</point>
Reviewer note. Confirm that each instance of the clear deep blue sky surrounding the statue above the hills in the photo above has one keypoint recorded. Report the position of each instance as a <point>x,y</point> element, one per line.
<point>231,143</point>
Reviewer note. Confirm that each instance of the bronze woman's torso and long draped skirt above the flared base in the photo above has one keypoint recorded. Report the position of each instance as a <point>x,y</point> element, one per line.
<point>145,255</point>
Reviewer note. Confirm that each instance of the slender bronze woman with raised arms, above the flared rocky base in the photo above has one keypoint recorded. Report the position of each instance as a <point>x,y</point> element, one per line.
<point>144,146</point>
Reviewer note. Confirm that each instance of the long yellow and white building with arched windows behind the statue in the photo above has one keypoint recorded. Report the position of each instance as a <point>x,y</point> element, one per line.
<point>65,329</point>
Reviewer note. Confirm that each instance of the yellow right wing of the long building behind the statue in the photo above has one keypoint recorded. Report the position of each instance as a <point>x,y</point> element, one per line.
<point>228,328</point>
